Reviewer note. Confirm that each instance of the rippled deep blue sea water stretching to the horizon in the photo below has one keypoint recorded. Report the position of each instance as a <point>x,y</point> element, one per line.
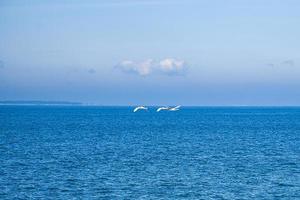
<point>80,152</point>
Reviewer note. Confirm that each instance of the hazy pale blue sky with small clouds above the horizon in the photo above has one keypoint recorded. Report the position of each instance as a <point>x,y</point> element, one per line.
<point>151,52</point>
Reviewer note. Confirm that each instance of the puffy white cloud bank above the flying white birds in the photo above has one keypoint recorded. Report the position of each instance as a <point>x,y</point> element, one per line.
<point>167,66</point>
